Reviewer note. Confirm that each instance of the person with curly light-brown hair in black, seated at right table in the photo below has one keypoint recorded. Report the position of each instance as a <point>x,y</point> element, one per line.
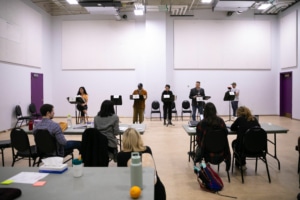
<point>244,121</point>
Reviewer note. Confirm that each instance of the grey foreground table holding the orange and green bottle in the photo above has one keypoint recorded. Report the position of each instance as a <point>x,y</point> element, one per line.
<point>96,183</point>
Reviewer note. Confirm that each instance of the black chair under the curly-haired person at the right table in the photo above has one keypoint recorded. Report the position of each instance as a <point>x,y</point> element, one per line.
<point>254,145</point>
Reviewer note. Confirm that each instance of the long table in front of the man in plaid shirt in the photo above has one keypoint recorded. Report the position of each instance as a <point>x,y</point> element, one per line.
<point>79,129</point>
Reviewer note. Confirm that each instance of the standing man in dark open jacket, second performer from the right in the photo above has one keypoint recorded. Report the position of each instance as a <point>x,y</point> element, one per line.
<point>197,94</point>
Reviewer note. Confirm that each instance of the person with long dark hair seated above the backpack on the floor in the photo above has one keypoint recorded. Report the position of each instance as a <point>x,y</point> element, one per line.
<point>211,121</point>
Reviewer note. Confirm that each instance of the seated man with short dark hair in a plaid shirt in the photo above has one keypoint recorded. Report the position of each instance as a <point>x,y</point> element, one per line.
<point>47,111</point>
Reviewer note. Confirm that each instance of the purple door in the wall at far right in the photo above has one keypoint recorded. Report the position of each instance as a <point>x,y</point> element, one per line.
<point>286,94</point>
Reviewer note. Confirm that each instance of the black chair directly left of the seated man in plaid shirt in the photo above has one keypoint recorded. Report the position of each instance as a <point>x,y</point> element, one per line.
<point>21,148</point>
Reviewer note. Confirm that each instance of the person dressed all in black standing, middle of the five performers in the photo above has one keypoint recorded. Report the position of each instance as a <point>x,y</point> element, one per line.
<point>167,98</point>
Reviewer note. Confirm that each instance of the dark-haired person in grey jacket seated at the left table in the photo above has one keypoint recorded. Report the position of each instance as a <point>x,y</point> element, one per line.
<point>107,122</point>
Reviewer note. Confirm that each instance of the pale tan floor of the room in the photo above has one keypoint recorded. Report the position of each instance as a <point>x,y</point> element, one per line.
<point>171,144</point>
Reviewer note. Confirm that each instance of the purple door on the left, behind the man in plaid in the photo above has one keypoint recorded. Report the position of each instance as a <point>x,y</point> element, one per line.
<point>37,92</point>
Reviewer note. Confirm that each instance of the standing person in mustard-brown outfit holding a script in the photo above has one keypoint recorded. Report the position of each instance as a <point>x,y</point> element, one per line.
<point>139,104</point>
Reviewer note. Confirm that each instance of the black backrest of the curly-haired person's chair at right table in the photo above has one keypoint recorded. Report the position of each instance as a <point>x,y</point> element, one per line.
<point>255,141</point>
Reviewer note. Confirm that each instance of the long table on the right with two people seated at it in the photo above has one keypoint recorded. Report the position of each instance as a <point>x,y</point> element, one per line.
<point>268,127</point>
